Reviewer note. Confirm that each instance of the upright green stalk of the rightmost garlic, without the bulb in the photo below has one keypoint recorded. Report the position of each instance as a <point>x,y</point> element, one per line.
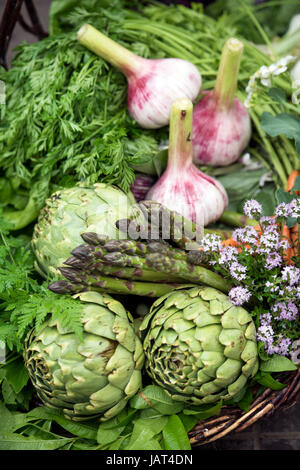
<point>227,78</point>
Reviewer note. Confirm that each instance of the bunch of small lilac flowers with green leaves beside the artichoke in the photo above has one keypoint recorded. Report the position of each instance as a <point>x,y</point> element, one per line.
<point>255,260</point>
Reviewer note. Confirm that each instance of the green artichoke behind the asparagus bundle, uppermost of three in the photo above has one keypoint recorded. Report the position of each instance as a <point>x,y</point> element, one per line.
<point>70,212</point>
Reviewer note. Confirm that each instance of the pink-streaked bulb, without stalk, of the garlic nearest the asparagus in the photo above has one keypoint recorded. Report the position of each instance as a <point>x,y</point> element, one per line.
<point>193,194</point>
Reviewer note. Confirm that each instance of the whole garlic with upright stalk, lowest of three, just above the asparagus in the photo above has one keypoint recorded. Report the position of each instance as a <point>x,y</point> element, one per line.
<point>183,187</point>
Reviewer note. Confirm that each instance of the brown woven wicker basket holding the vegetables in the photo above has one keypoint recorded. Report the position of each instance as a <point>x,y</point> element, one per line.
<point>231,418</point>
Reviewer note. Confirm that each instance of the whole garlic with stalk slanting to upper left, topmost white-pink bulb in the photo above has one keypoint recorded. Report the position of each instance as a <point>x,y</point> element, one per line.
<point>153,85</point>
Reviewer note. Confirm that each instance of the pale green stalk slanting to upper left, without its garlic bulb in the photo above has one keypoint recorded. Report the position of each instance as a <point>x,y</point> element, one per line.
<point>109,50</point>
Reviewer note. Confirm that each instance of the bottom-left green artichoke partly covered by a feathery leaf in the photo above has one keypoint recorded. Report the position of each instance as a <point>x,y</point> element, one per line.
<point>89,377</point>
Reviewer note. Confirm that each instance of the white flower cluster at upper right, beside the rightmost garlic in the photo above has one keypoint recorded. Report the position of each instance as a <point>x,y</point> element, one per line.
<point>265,74</point>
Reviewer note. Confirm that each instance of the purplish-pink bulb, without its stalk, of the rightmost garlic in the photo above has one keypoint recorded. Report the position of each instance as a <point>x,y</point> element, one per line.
<point>220,134</point>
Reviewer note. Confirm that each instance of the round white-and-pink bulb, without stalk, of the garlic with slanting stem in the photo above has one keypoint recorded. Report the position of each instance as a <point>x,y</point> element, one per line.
<point>152,91</point>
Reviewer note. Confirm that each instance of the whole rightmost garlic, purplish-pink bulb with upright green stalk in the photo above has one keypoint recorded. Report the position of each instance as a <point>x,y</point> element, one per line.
<point>222,125</point>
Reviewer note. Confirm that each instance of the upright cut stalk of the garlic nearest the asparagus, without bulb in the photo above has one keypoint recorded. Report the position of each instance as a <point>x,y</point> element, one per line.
<point>180,134</point>
